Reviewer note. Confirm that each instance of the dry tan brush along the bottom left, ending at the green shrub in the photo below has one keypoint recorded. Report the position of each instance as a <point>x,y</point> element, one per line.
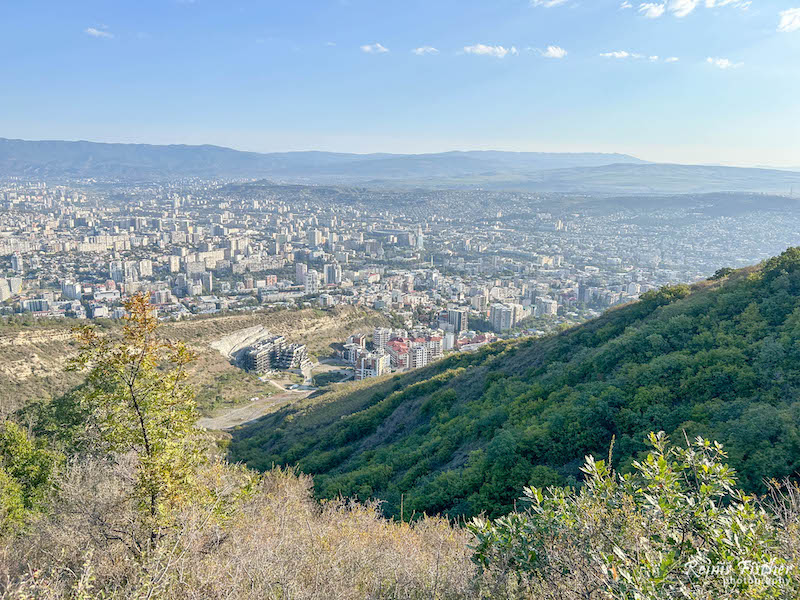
<point>279,544</point>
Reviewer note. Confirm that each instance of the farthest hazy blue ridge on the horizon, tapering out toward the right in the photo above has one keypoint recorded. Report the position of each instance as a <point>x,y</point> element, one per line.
<point>82,159</point>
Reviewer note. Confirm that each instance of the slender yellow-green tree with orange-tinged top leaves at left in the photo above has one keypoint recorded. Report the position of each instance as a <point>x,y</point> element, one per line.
<point>139,402</point>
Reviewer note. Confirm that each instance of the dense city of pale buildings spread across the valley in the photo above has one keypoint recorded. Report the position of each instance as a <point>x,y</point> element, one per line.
<point>452,270</point>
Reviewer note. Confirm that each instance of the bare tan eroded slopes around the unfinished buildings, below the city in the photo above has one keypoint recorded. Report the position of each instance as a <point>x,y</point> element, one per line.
<point>33,355</point>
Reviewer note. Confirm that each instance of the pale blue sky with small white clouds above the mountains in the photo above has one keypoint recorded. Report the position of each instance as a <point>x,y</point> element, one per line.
<point>684,81</point>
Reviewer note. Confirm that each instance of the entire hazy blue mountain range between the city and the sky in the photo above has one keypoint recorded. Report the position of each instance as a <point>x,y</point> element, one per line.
<point>534,171</point>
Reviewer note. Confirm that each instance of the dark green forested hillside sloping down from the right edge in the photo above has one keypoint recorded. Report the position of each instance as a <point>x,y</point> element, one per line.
<point>720,359</point>
